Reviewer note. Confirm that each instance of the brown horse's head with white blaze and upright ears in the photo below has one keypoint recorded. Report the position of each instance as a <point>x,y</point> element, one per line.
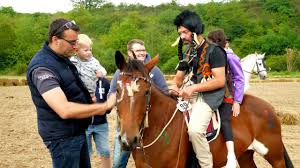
<point>133,99</point>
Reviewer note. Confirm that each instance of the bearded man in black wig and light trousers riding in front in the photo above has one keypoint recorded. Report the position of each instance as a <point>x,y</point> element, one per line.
<point>204,65</point>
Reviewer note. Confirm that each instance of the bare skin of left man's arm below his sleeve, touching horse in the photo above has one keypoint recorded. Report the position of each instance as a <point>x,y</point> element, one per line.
<point>57,100</point>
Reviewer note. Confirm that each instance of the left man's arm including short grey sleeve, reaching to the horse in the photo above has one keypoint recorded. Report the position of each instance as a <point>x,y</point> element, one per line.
<point>48,86</point>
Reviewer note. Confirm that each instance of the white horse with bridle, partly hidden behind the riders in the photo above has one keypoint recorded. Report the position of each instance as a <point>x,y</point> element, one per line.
<point>253,64</point>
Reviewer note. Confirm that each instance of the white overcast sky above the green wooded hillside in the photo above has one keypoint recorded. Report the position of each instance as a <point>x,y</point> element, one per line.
<point>52,6</point>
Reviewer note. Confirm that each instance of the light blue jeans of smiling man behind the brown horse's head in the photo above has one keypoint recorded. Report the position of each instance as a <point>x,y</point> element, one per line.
<point>120,158</point>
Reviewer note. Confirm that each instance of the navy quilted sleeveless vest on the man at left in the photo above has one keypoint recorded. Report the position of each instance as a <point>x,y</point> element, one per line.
<point>50,125</point>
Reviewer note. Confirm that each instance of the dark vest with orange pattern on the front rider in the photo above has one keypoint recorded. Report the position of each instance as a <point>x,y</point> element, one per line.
<point>201,69</point>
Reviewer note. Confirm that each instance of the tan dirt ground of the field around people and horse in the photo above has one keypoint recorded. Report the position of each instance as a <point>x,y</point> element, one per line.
<point>21,146</point>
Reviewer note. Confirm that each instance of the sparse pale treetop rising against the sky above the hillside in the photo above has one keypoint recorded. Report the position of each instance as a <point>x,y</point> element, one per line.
<point>88,4</point>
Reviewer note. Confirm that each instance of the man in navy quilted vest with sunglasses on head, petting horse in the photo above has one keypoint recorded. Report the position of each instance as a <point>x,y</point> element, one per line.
<point>62,101</point>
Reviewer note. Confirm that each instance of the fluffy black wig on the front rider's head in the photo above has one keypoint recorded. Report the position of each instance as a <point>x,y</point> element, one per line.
<point>189,20</point>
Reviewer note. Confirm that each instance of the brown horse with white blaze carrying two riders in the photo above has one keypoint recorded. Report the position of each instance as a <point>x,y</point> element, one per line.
<point>152,128</point>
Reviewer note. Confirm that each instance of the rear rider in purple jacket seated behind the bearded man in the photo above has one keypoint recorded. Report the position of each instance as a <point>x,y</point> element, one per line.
<point>233,96</point>
